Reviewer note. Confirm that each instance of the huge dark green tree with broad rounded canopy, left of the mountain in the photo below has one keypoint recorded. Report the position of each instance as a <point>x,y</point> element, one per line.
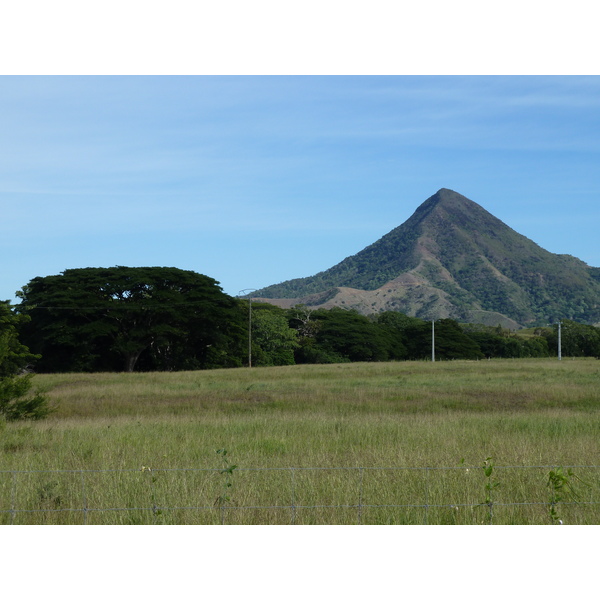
<point>123,317</point>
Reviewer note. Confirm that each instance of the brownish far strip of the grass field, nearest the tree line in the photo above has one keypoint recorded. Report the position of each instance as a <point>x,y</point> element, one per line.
<point>374,387</point>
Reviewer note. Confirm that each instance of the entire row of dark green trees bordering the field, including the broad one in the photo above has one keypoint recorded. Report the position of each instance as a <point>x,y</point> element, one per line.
<point>162,318</point>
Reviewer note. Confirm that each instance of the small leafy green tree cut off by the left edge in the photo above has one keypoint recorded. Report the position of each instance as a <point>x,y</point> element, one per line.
<point>17,399</point>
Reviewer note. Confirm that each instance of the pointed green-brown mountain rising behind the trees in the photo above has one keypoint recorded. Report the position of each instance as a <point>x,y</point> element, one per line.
<point>453,259</point>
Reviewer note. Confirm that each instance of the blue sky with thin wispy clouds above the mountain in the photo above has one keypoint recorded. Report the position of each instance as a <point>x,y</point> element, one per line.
<point>253,180</point>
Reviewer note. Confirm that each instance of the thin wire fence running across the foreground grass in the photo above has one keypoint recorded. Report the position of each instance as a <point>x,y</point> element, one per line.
<point>541,494</point>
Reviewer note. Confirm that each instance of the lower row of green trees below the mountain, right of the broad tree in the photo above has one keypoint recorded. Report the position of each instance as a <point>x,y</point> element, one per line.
<point>339,335</point>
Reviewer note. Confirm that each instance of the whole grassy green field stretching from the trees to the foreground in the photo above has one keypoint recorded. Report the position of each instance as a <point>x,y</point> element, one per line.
<point>351,443</point>
